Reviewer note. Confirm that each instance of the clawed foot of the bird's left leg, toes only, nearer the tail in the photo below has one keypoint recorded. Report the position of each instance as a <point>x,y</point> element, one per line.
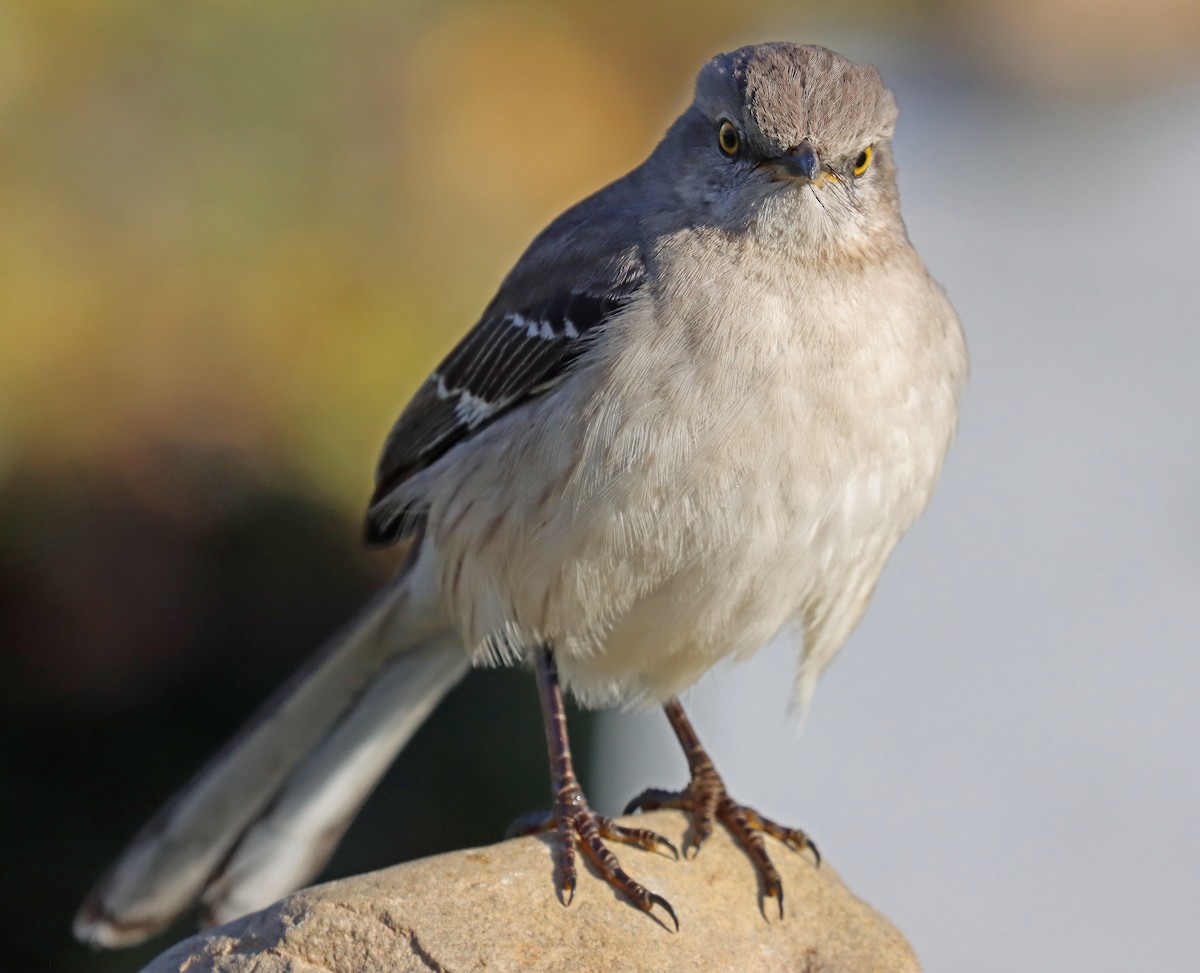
<point>575,822</point>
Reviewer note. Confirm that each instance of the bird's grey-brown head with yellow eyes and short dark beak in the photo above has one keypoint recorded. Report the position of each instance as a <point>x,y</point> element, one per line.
<point>791,143</point>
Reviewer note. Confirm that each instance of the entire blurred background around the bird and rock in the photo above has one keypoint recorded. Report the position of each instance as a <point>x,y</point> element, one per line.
<point>235,239</point>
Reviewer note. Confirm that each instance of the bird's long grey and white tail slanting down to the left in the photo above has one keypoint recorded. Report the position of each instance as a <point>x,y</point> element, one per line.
<point>266,814</point>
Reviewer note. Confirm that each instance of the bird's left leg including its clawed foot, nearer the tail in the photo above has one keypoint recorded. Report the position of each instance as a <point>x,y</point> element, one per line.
<point>573,819</point>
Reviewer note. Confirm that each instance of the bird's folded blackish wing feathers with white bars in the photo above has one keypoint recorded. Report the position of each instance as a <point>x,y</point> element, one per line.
<point>519,350</point>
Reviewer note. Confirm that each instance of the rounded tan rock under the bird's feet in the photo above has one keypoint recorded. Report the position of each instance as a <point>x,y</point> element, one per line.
<point>495,910</point>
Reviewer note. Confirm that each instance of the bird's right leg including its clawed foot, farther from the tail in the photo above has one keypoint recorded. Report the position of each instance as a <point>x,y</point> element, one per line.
<point>705,798</point>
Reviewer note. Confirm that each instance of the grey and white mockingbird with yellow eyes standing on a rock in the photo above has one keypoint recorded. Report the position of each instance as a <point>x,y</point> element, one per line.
<point>703,410</point>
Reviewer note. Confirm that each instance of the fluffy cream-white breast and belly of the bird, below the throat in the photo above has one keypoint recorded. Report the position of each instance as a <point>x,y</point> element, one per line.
<point>697,490</point>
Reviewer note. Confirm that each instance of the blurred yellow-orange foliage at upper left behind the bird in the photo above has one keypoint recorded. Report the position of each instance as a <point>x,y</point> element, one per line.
<point>255,227</point>
